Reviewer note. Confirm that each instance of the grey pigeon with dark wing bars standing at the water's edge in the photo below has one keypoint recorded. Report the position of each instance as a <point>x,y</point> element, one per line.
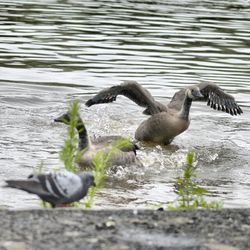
<point>57,188</point>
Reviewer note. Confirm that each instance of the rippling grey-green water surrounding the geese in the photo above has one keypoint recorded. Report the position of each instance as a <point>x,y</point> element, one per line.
<point>52,52</point>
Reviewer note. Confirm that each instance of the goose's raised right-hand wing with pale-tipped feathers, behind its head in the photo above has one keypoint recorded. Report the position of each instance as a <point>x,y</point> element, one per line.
<point>217,99</point>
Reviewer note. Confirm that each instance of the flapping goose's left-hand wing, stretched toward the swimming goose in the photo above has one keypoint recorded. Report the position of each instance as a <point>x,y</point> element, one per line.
<point>134,92</point>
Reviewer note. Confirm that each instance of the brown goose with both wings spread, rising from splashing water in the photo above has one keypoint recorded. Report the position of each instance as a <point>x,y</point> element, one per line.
<point>167,121</point>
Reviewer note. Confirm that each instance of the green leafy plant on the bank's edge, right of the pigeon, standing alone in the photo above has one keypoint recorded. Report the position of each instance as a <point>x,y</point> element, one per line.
<point>190,194</point>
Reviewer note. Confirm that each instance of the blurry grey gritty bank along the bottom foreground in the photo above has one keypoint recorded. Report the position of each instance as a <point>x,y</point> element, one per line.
<point>224,229</point>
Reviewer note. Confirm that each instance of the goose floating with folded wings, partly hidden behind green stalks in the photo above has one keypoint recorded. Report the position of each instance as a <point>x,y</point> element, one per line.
<point>125,155</point>
